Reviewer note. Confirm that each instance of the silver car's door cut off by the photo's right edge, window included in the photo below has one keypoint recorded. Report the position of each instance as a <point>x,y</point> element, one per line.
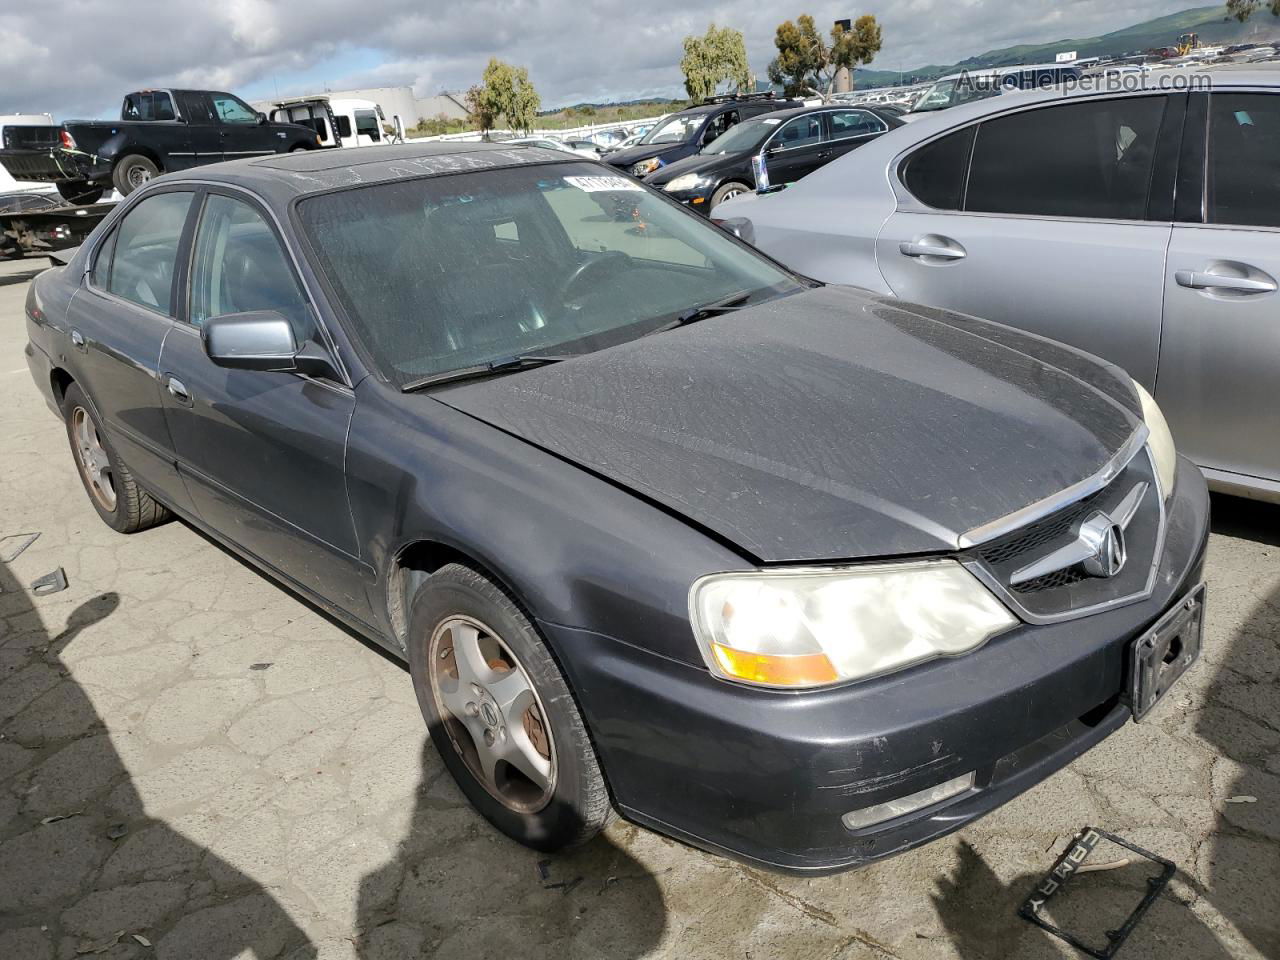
<point>1220,353</point>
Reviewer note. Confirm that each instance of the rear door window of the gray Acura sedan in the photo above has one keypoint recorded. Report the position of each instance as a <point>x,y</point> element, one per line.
<point>138,260</point>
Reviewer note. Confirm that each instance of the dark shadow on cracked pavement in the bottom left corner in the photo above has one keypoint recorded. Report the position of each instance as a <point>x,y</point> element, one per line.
<point>83,866</point>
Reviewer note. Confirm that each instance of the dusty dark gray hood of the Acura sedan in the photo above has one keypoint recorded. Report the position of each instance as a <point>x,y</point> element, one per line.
<point>826,426</point>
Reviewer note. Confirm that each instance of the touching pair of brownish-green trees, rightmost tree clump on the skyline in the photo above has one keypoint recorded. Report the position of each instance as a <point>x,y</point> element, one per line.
<point>807,63</point>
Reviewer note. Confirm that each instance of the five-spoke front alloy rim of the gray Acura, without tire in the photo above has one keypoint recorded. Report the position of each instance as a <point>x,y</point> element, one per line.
<point>492,714</point>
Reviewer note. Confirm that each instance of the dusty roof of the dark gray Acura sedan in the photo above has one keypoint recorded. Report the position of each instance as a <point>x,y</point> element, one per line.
<point>282,177</point>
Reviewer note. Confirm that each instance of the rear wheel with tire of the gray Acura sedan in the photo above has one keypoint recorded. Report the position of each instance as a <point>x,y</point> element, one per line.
<point>124,506</point>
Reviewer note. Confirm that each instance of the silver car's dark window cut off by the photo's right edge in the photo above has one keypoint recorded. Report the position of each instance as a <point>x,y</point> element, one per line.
<point>1245,159</point>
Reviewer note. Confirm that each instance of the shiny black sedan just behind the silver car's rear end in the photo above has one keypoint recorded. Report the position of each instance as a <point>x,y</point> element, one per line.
<point>792,144</point>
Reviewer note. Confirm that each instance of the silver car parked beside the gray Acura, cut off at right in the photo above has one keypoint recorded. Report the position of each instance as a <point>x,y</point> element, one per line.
<point>1142,227</point>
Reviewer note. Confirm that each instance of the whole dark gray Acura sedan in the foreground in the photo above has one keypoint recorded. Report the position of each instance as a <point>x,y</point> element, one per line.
<point>788,572</point>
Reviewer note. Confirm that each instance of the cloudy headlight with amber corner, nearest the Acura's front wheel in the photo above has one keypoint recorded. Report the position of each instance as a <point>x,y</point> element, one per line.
<point>813,628</point>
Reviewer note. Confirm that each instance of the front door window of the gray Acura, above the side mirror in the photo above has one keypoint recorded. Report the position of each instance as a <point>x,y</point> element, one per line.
<point>240,267</point>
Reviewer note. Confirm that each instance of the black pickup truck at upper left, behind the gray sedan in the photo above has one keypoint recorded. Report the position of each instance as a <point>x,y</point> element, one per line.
<point>159,131</point>
